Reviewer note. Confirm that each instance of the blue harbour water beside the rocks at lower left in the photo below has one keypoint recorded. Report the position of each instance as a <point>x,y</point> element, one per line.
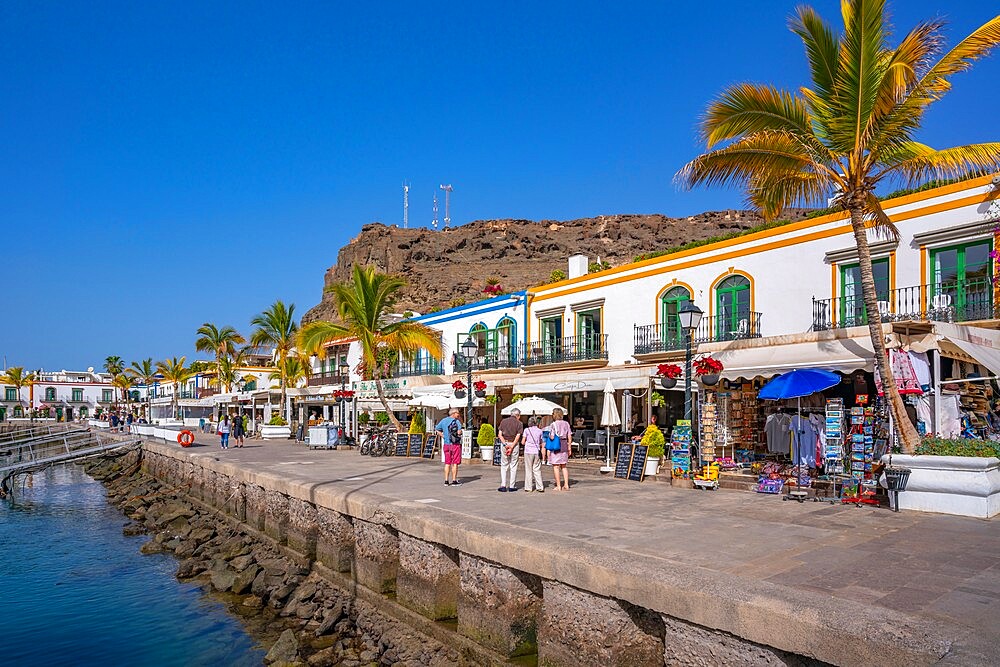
<point>75,591</point>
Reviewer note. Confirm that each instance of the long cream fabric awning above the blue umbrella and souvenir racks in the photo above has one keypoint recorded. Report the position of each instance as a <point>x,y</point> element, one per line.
<point>843,355</point>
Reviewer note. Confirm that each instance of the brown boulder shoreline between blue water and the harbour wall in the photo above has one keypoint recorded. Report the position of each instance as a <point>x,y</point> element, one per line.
<point>303,617</point>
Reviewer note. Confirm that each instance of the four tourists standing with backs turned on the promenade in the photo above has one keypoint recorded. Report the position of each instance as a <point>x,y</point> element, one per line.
<point>546,440</point>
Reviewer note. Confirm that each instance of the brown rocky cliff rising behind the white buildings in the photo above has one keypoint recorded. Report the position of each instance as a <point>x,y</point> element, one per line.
<point>450,266</point>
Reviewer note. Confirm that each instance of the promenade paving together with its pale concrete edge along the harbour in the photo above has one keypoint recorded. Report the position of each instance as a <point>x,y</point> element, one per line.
<point>924,583</point>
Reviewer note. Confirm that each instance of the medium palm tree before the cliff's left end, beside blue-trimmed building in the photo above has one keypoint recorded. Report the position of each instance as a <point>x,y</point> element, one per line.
<point>363,306</point>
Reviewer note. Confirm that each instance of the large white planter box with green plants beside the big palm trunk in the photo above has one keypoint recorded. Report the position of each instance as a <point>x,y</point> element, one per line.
<point>963,485</point>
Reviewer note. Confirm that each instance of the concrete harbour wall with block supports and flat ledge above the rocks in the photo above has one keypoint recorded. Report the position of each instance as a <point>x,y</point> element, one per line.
<point>514,593</point>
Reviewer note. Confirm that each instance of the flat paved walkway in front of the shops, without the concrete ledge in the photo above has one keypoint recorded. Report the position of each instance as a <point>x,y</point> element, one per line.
<point>937,567</point>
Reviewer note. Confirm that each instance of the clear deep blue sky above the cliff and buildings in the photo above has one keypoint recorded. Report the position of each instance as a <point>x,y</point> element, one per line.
<point>166,164</point>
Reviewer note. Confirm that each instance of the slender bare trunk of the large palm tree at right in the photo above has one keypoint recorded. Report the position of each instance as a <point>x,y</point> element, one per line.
<point>909,439</point>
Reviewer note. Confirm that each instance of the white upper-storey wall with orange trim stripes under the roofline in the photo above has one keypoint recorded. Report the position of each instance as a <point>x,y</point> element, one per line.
<point>786,267</point>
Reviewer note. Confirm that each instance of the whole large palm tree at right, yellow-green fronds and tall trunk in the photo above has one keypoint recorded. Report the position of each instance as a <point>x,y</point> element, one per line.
<point>852,130</point>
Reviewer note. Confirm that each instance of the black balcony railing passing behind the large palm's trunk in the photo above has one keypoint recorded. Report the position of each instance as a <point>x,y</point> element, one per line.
<point>964,301</point>
